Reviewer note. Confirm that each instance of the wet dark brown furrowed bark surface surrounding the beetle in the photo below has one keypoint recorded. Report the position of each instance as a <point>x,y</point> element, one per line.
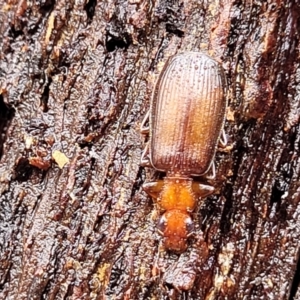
<point>75,82</point>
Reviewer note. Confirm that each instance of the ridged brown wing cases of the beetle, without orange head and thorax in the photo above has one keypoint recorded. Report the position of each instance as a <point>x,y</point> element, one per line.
<point>187,114</point>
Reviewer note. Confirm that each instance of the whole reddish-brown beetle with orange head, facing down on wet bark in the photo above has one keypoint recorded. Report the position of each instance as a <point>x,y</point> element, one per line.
<point>186,119</point>
